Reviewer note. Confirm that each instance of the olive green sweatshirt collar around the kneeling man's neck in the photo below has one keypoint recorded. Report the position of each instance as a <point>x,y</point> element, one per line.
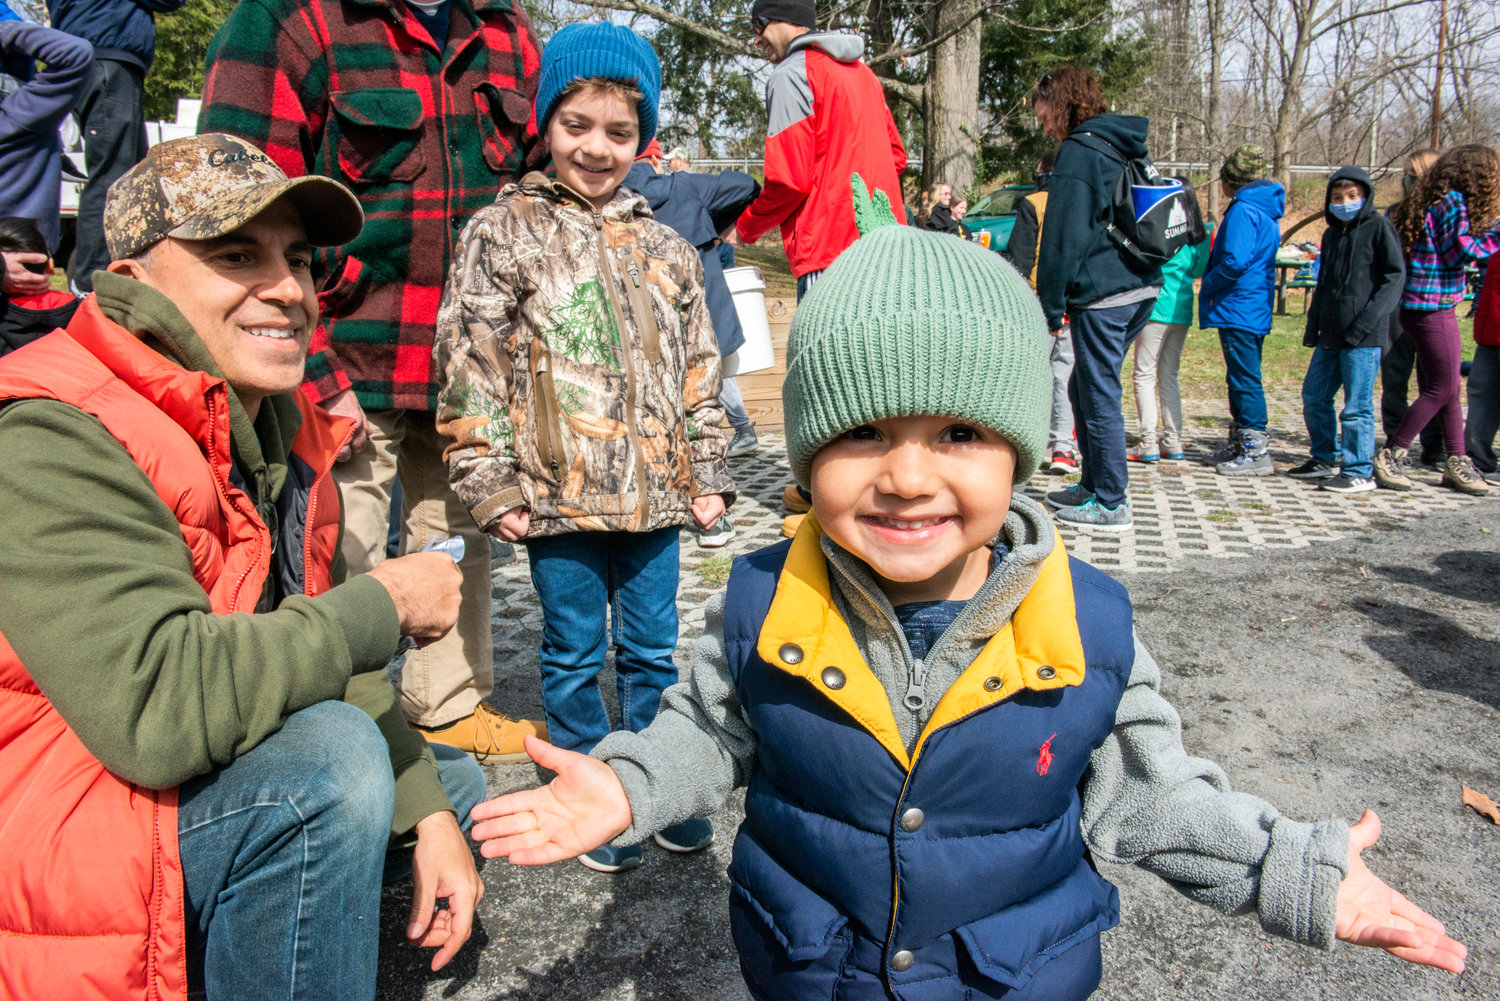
<point>262,449</point>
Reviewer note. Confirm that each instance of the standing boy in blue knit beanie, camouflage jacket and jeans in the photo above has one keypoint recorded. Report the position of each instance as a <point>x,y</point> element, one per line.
<point>581,388</point>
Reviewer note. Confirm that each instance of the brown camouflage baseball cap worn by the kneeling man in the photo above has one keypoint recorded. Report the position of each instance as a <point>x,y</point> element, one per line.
<point>208,185</point>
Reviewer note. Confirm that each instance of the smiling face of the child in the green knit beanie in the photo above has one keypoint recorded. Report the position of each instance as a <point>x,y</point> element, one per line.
<point>917,499</point>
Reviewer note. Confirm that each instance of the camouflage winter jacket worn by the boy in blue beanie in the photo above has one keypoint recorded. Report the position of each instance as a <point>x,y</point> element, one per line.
<point>580,367</point>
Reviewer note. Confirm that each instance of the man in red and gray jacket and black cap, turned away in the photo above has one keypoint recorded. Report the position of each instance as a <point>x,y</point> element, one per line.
<point>827,122</point>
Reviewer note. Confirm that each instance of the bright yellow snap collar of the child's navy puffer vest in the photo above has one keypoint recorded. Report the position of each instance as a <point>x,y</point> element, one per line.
<point>1039,648</point>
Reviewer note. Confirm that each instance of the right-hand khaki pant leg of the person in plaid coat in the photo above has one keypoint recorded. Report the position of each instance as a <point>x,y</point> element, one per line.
<point>446,679</point>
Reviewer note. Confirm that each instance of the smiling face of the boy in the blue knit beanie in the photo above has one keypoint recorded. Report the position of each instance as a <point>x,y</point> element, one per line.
<point>595,136</point>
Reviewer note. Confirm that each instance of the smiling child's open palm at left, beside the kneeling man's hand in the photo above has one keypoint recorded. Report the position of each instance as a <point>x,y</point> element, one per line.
<point>581,810</point>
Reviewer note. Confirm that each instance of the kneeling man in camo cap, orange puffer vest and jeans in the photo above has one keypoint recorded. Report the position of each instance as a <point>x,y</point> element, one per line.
<point>205,775</point>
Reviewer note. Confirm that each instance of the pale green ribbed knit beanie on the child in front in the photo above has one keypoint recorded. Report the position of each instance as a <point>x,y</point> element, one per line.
<point>910,323</point>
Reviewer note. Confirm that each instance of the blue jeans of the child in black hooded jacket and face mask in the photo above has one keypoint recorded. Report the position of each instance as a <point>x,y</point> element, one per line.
<point>1355,370</point>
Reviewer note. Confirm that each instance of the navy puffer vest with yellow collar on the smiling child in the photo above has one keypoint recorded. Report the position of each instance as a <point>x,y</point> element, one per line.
<point>955,873</point>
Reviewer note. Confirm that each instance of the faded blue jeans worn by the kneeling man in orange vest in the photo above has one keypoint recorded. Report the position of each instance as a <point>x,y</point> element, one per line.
<point>283,856</point>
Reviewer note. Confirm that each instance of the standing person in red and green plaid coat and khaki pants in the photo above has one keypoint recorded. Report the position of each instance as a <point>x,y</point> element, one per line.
<point>424,109</point>
